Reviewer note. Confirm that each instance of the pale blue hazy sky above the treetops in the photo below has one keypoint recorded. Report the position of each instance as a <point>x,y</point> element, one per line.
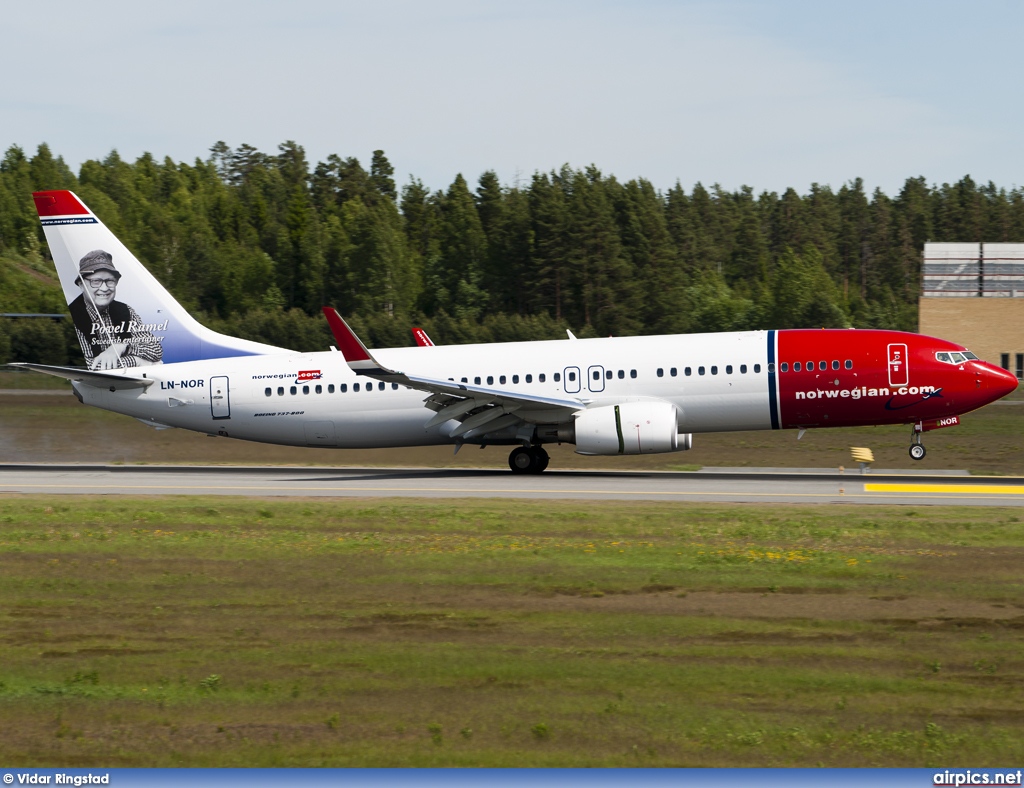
<point>770,95</point>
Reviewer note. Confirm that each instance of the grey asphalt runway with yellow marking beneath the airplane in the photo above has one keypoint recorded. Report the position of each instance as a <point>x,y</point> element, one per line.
<point>726,486</point>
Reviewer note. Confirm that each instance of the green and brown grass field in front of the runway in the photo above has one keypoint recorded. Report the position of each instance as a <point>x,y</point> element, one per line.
<point>157,632</point>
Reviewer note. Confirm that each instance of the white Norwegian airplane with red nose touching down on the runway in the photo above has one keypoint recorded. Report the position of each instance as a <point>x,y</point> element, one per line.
<point>149,359</point>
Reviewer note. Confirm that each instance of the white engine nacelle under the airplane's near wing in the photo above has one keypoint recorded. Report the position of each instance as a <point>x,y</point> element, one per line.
<point>631,428</point>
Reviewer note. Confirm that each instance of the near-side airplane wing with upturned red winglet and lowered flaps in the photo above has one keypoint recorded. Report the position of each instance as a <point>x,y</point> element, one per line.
<point>480,409</point>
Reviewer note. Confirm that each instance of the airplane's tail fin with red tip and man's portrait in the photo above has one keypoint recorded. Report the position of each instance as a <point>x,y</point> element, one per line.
<point>123,316</point>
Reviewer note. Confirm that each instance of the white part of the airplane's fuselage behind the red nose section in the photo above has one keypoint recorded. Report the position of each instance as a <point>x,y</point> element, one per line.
<point>316,400</point>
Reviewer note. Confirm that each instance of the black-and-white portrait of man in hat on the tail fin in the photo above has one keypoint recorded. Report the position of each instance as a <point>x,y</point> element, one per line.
<point>111,333</point>
